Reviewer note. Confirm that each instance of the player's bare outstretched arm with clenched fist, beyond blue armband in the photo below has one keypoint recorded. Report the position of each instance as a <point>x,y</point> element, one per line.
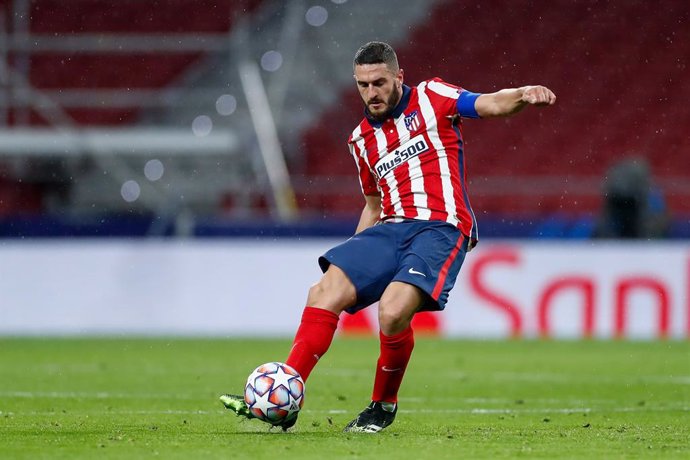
<point>510,101</point>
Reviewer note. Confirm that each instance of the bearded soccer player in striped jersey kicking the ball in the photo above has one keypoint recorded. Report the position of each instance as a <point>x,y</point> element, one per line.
<point>415,228</point>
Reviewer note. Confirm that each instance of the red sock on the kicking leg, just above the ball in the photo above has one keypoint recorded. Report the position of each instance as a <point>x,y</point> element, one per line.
<point>312,340</point>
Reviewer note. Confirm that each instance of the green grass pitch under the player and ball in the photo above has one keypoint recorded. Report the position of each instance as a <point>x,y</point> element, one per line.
<point>141,398</point>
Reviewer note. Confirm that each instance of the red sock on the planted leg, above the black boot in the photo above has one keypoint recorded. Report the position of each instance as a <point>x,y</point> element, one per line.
<point>390,369</point>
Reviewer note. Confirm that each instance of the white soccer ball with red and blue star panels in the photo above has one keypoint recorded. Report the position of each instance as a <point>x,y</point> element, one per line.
<point>274,393</point>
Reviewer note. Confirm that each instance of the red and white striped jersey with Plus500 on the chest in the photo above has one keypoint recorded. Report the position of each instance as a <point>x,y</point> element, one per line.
<point>414,159</point>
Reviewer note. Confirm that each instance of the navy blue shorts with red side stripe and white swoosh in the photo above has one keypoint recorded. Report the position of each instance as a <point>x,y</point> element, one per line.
<point>426,254</point>
